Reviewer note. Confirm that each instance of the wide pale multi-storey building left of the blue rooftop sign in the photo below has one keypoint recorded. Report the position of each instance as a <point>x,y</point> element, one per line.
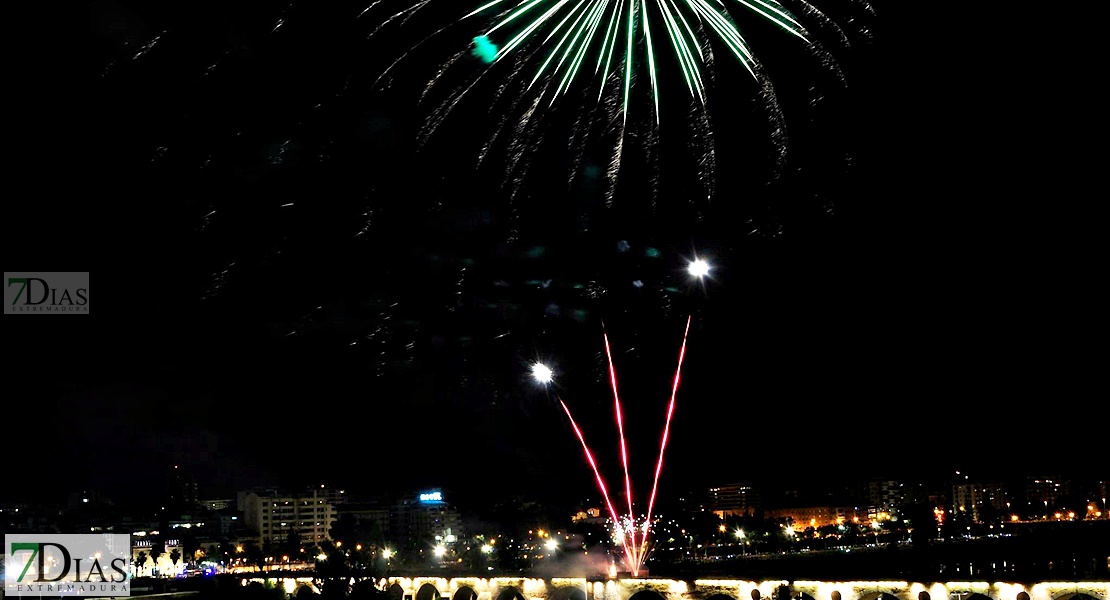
<point>276,515</point>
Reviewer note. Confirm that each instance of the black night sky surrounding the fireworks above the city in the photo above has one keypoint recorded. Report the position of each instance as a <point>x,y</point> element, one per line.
<point>291,291</point>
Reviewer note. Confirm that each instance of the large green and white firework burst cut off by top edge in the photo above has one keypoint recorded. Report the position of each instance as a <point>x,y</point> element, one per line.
<point>520,58</point>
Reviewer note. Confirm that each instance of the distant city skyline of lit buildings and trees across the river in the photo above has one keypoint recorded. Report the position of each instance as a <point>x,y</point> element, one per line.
<point>176,497</point>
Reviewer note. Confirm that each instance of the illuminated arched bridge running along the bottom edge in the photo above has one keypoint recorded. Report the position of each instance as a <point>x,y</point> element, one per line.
<point>523,588</point>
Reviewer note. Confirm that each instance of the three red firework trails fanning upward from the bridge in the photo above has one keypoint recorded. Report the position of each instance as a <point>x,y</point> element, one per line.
<point>625,528</point>
